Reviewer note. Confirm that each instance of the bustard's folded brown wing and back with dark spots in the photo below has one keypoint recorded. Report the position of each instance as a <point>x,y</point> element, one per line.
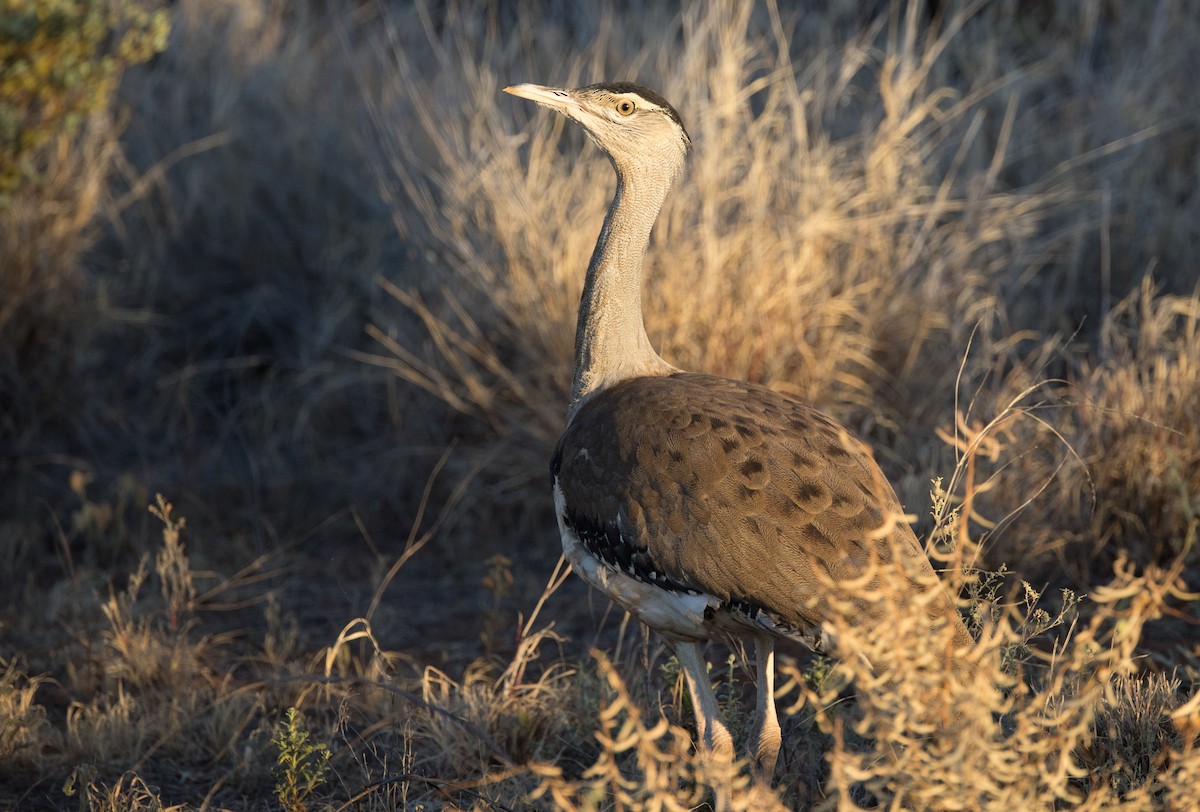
<point>730,489</point>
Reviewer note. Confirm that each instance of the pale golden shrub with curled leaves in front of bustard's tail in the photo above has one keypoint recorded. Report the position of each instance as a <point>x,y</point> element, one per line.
<point>1005,733</point>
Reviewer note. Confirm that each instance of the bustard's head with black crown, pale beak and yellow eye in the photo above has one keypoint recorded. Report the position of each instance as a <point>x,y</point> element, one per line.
<point>639,130</point>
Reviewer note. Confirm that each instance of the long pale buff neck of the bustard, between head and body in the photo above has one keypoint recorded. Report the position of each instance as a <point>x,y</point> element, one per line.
<point>610,341</point>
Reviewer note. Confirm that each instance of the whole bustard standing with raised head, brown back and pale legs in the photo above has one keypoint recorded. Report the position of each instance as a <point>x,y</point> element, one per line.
<point>709,508</point>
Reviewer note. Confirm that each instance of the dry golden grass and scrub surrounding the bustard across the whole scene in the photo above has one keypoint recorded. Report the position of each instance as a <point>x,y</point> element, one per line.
<point>316,279</point>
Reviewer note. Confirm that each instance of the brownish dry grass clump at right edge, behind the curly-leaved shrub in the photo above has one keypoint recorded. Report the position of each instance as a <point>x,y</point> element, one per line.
<point>1114,448</point>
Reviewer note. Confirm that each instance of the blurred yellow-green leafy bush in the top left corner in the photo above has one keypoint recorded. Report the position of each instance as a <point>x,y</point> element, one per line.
<point>59,64</point>
